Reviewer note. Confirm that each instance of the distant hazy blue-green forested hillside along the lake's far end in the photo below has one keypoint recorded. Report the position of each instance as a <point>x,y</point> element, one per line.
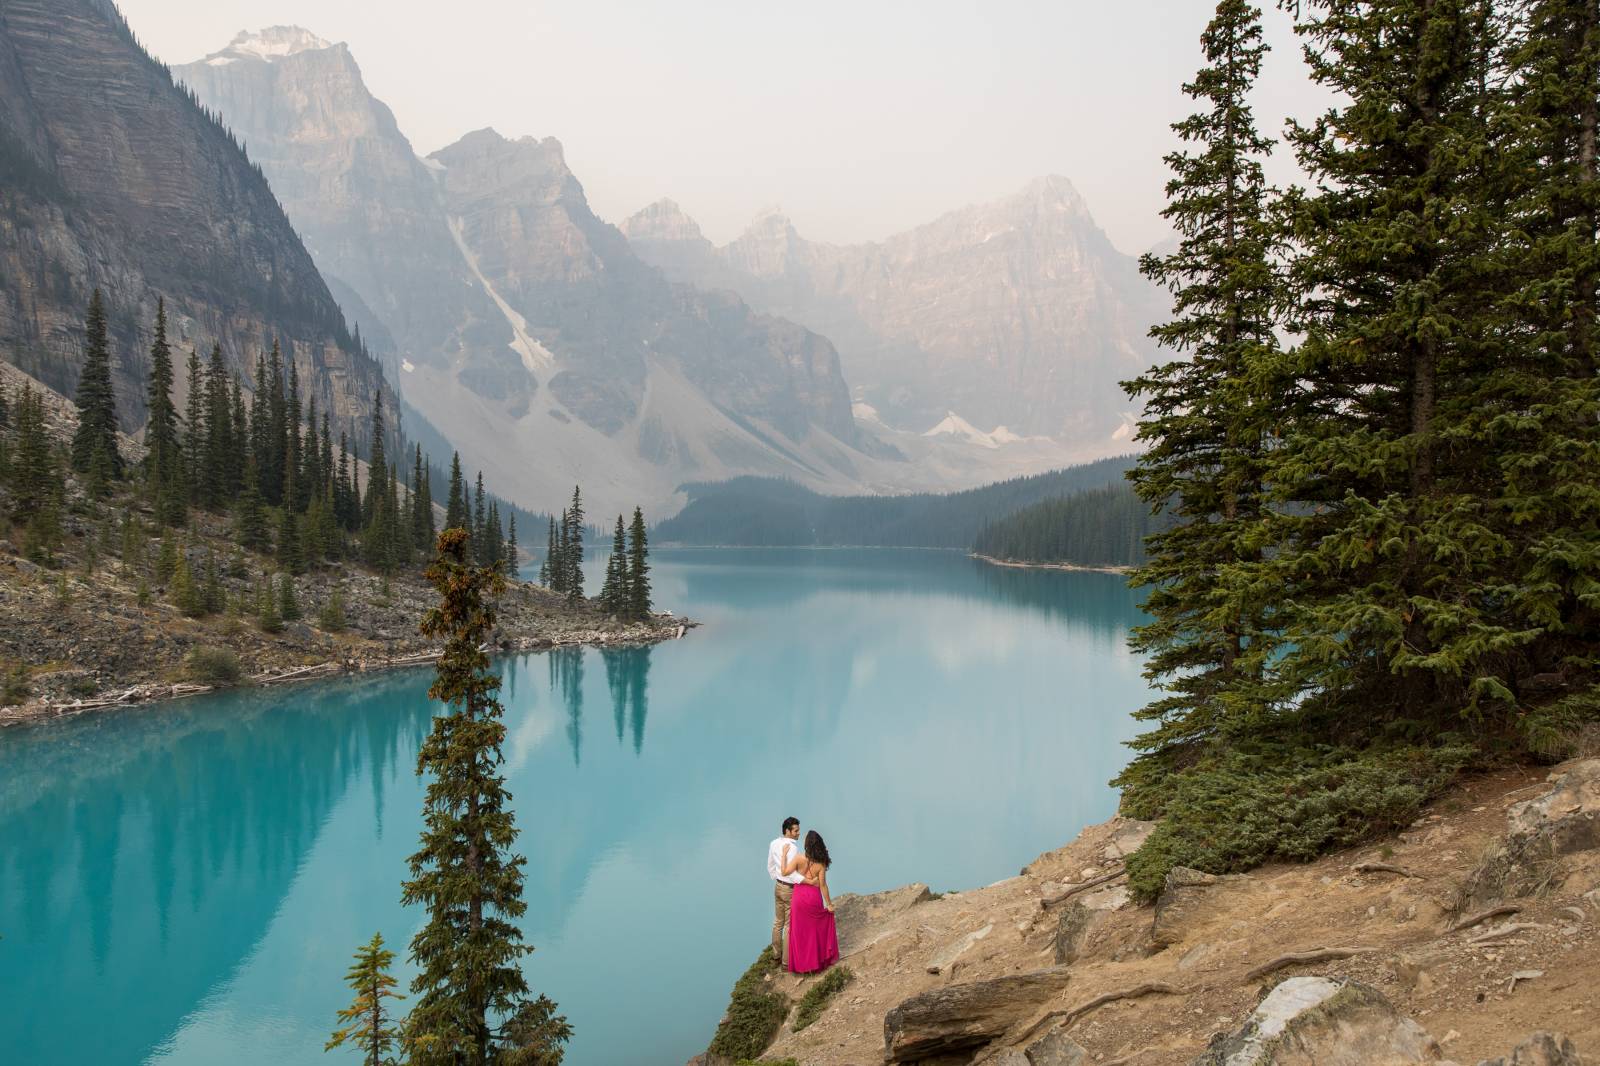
<point>770,513</point>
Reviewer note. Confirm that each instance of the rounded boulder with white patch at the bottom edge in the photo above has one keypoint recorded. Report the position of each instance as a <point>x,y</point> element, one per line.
<point>1322,1022</point>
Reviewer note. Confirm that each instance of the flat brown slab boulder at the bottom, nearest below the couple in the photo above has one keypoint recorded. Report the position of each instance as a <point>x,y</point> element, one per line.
<point>966,1017</point>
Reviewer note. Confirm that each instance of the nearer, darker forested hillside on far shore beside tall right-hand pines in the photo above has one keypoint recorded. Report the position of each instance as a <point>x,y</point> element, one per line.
<point>1098,527</point>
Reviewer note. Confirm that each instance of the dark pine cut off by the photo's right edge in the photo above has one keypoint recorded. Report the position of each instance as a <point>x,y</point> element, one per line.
<point>1542,420</point>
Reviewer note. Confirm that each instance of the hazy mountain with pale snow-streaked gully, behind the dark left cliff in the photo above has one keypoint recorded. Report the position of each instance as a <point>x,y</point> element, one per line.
<point>526,327</point>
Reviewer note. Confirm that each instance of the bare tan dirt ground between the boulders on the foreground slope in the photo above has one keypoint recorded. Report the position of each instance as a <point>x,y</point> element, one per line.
<point>1460,992</point>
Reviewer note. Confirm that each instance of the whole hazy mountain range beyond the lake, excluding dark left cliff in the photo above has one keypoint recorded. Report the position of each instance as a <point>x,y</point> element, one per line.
<point>553,347</point>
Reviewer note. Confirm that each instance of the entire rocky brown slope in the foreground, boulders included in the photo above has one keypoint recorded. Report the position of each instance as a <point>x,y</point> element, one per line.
<point>1450,942</point>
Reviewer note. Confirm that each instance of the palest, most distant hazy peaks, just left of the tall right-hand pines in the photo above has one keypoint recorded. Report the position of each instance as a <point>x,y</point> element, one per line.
<point>1017,315</point>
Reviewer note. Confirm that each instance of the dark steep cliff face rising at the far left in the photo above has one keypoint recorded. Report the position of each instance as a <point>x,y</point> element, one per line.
<point>113,177</point>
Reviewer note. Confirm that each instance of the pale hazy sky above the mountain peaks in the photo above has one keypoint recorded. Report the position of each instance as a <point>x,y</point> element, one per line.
<point>858,118</point>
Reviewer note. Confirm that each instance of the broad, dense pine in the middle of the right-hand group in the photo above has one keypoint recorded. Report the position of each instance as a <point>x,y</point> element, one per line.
<point>1388,547</point>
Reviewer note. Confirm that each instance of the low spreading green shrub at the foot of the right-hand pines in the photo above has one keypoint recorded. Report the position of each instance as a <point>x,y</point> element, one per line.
<point>1238,811</point>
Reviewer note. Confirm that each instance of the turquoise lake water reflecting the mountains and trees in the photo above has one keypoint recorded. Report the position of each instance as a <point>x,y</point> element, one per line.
<point>185,884</point>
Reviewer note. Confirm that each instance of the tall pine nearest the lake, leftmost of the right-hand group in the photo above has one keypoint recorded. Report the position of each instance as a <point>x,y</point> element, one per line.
<point>1209,414</point>
